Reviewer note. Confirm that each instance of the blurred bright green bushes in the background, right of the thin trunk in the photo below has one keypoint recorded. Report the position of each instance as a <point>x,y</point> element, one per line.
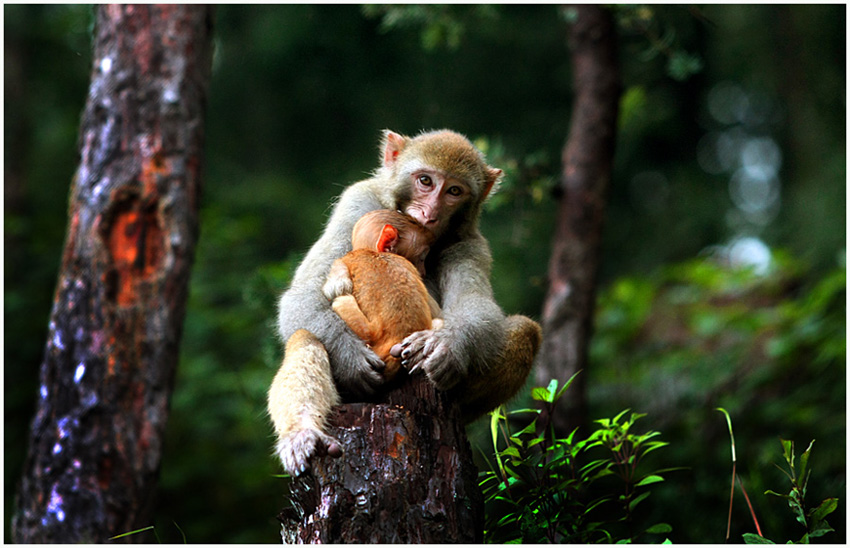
<point>769,347</point>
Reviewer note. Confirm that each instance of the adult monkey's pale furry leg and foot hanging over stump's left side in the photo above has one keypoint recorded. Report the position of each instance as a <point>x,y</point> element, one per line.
<point>300,399</point>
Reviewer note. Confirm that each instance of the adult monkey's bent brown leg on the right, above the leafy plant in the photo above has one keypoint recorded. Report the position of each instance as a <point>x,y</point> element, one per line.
<point>484,390</point>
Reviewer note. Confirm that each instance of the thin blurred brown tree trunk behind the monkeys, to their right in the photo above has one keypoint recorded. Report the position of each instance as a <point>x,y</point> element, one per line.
<point>587,165</point>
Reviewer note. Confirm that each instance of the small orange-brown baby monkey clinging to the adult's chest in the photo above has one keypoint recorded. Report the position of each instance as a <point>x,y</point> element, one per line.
<point>377,287</point>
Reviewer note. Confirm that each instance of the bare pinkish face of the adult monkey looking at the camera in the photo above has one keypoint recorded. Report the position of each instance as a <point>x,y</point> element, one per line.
<point>435,198</point>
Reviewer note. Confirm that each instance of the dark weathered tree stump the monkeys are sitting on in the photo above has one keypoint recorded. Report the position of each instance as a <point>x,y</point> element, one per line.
<point>407,476</point>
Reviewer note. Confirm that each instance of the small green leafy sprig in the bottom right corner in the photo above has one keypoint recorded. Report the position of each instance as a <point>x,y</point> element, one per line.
<point>813,519</point>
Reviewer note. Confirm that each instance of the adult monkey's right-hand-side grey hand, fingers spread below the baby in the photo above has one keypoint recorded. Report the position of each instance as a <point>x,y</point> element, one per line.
<point>433,352</point>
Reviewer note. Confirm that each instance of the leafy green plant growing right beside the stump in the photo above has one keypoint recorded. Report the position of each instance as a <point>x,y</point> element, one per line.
<point>548,489</point>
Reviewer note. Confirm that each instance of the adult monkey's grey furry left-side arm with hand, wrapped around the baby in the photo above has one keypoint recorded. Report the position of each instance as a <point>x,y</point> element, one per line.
<point>356,368</point>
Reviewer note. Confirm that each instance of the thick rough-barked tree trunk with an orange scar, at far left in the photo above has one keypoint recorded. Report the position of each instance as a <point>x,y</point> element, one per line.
<point>112,345</point>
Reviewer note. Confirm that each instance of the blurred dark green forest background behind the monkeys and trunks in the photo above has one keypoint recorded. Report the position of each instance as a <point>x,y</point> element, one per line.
<point>723,272</point>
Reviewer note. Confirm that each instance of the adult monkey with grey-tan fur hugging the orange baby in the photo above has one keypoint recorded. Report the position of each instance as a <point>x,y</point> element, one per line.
<point>440,179</point>
